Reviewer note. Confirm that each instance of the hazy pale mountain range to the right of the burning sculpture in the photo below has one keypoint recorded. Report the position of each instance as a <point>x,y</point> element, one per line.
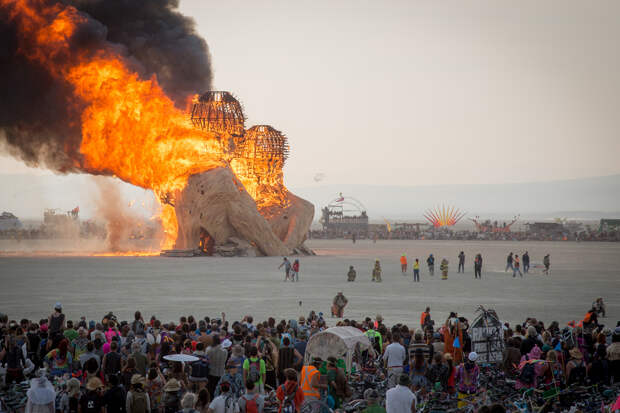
<point>588,198</point>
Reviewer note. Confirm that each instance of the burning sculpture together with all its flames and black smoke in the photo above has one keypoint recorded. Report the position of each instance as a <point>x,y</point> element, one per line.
<point>110,105</point>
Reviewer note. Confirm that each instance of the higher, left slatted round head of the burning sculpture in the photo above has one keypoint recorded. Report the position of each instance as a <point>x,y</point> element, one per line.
<point>218,112</point>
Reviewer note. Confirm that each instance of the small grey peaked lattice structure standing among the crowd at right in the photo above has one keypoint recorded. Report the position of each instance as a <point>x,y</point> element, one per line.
<point>487,336</point>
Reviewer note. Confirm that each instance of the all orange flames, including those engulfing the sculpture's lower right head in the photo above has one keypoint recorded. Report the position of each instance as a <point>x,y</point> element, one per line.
<point>130,128</point>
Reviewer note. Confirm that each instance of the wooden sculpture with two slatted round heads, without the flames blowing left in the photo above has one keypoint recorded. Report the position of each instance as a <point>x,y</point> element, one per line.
<point>243,207</point>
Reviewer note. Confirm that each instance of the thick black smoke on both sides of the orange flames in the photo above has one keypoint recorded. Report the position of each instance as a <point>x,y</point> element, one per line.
<point>36,123</point>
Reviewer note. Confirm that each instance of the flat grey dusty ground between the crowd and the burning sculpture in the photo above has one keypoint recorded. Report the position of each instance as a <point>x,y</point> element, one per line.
<point>169,287</point>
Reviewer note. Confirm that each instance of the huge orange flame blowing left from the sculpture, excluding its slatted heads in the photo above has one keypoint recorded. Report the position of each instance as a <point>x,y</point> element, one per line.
<point>130,128</point>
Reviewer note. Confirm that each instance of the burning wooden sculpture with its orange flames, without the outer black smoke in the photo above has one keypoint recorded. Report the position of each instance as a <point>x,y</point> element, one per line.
<point>217,184</point>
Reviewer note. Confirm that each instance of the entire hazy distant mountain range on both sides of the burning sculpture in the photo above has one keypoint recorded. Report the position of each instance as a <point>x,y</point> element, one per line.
<point>589,198</point>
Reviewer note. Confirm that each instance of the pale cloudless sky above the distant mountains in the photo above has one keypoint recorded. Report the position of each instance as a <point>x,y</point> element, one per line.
<point>424,92</point>
